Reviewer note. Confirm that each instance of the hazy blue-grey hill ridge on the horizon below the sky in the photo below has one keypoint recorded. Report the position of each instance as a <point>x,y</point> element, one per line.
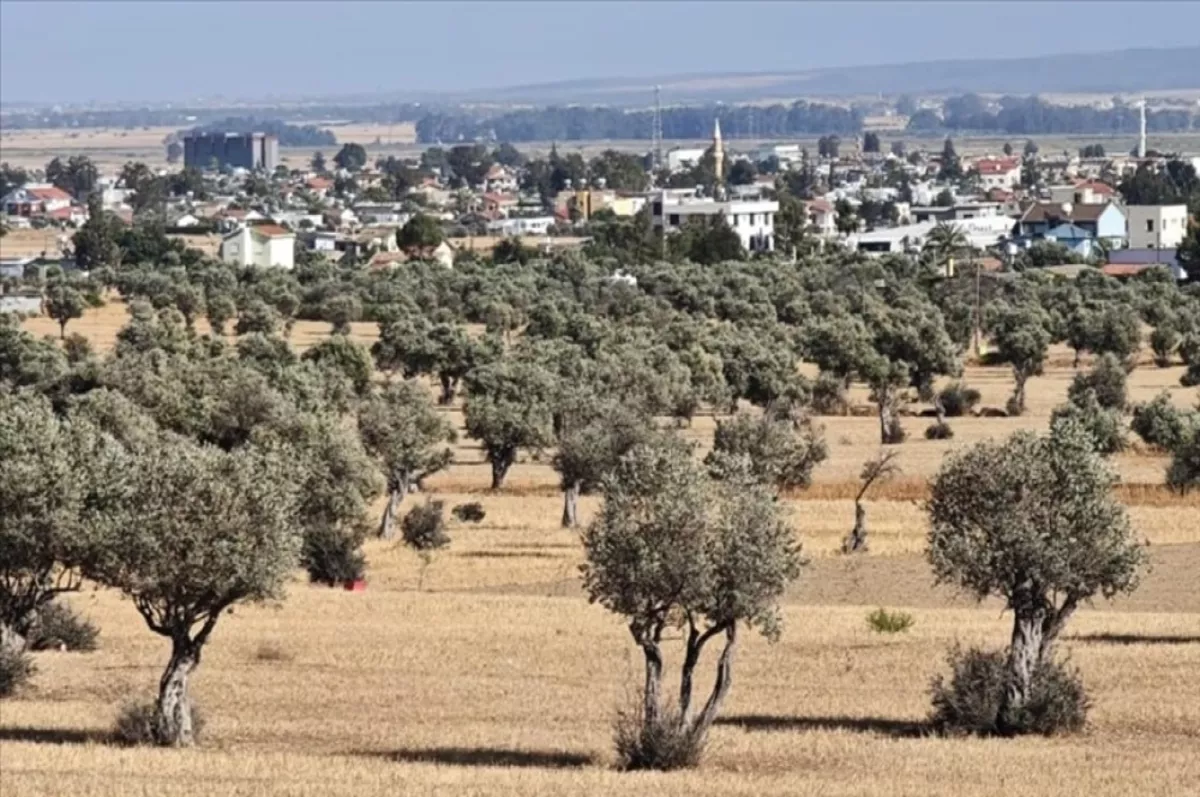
<point>1120,71</point>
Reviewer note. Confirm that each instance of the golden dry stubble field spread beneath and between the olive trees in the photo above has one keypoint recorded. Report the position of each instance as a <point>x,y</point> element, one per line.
<point>497,678</point>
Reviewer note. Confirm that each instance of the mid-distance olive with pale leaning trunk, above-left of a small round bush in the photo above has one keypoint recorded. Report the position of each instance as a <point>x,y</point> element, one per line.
<point>409,439</point>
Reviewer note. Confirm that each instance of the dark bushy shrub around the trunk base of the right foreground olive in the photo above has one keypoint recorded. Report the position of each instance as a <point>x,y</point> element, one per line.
<point>973,702</point>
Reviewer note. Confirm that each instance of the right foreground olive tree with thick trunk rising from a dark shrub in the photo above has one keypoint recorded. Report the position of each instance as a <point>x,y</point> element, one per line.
<point>1034,522</point>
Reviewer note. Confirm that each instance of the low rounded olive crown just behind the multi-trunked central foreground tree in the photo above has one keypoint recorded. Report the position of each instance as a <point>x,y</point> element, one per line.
<point>782,452</point>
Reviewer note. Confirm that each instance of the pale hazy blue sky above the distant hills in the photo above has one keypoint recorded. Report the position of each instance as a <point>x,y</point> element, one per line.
<point>63,52</point>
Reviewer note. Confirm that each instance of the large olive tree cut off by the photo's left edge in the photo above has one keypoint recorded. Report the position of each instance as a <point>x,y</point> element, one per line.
<point>52,480</point>
